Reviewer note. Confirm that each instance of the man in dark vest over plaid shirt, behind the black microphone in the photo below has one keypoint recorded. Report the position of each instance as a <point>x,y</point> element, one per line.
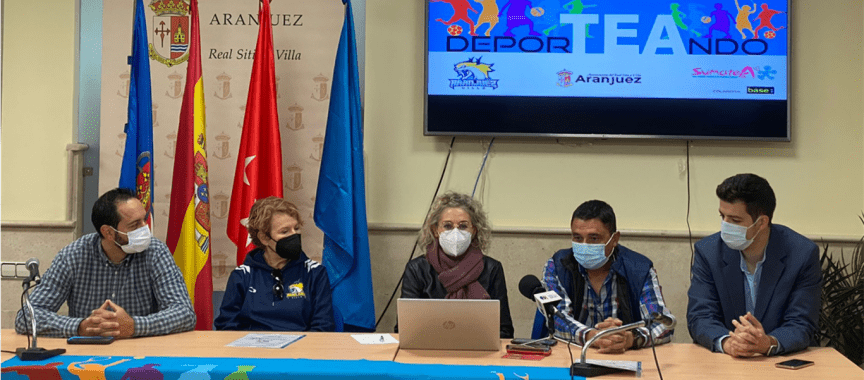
<point>604,285</point>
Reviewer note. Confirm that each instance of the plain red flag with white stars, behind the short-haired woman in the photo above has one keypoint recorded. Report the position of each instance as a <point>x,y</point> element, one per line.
<point>259,163</point>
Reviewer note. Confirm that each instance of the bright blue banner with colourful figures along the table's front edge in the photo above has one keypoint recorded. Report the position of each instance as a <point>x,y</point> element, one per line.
<point>177,368</point>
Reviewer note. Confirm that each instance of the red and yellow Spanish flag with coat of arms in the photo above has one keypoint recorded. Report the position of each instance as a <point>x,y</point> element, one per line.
<point>189,218</point>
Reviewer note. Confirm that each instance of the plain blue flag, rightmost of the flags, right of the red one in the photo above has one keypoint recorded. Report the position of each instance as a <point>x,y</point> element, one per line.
<point>340,203</point>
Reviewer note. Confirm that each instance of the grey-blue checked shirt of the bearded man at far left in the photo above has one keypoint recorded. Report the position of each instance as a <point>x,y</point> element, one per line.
<point>148,285</point>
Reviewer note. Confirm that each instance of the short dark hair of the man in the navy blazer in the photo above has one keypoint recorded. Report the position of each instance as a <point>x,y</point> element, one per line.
<point>751,189</point>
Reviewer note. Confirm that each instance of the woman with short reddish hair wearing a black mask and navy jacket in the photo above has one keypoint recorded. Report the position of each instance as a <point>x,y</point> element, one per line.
<point>278,288</point>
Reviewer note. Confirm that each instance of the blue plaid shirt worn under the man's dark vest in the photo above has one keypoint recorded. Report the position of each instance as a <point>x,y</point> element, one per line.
<point>598,307</point>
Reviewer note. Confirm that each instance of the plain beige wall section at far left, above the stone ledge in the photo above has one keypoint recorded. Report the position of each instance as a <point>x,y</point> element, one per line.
<point>37,99</point>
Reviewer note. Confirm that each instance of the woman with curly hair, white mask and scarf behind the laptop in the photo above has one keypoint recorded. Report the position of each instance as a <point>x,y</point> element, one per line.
<point>454,267</point>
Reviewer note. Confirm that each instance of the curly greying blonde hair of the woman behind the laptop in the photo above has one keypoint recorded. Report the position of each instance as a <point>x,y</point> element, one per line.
<point>483,230</point>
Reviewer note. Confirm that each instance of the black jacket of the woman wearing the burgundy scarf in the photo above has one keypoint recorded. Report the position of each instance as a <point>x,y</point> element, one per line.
<point>421,281</point>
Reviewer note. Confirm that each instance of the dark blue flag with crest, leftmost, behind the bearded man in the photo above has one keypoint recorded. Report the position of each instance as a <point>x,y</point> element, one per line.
<point>137,171</point>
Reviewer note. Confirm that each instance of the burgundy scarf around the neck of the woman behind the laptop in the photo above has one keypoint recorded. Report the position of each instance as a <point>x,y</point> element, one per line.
<point>458,274</point>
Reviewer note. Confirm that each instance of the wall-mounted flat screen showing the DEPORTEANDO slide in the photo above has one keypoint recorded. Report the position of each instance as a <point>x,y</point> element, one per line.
<point>688,69</point>
